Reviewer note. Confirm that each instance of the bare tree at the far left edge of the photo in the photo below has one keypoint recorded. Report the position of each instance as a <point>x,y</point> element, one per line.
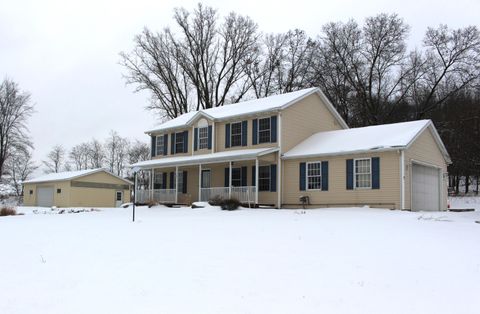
<point>15,109</point>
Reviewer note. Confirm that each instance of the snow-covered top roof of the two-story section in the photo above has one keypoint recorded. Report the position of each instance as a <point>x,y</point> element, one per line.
<point>266,104</point>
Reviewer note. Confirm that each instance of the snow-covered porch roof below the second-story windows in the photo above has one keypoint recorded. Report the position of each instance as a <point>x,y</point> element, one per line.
<point>233,155</point>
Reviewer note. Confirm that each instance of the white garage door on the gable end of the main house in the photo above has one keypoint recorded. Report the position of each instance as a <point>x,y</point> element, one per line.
<point>425,188</point>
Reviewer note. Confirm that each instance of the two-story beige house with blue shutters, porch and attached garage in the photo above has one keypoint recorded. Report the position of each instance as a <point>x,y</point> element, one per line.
<point>274,150</point>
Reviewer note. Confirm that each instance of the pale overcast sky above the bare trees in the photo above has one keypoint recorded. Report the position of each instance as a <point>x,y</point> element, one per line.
<point>65,53</point>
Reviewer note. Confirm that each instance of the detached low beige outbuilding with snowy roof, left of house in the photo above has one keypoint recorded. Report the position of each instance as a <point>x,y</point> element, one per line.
<point>84,188</point>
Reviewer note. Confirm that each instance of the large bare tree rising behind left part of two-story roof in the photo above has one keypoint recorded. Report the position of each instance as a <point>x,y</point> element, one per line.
<point>203,67</point>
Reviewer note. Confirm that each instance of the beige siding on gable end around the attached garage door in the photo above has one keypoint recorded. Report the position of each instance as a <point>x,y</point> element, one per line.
<point>426,150</point>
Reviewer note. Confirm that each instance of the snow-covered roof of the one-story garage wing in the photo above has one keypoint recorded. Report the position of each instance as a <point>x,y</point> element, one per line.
<point>371,138</point>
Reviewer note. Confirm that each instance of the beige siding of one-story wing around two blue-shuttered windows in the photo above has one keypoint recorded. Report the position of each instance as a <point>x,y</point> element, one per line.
<point>388,196</point>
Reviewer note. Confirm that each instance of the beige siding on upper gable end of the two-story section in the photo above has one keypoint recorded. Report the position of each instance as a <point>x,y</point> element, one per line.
<point>304,118</point>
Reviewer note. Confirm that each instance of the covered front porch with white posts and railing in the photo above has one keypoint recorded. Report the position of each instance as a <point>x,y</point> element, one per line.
<point>232,174</point>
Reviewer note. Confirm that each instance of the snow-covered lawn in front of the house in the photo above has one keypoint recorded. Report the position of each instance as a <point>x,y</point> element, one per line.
<point>183,260</point>
